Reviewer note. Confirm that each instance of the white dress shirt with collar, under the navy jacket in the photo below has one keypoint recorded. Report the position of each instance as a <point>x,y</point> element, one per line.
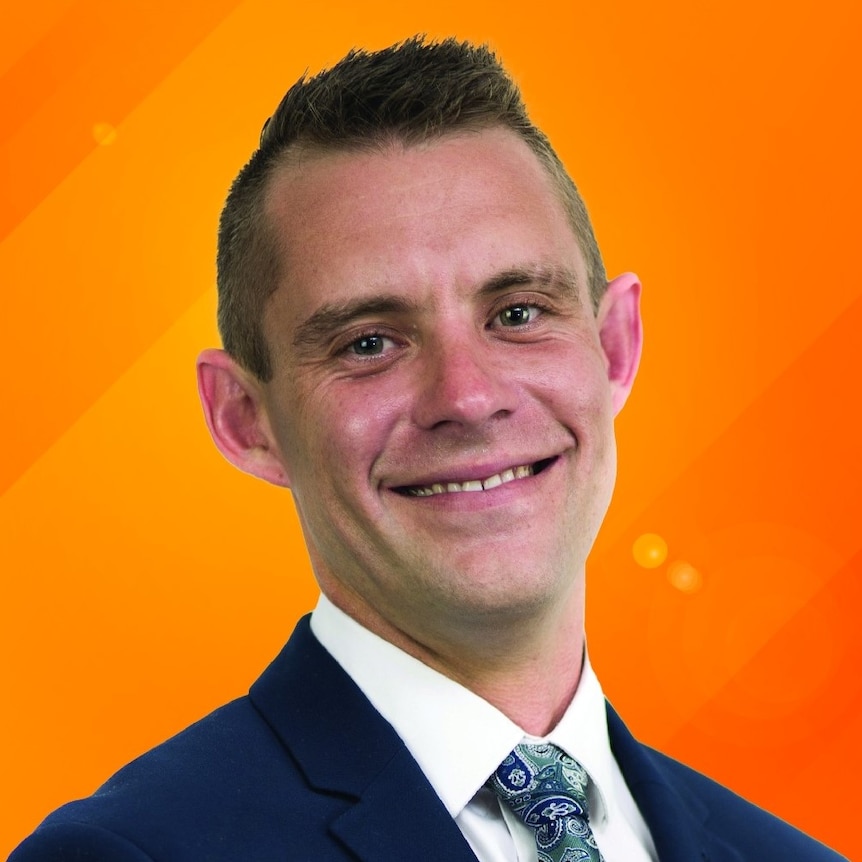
<point>458,739</point>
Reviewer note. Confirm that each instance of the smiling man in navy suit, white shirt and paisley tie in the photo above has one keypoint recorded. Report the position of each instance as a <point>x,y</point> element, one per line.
<point>422,345</point>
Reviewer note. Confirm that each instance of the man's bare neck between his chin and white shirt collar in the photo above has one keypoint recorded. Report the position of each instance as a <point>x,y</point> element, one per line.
<point>528,667</point>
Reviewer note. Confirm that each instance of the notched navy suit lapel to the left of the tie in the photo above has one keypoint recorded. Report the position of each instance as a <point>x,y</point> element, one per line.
<point>344,746</point>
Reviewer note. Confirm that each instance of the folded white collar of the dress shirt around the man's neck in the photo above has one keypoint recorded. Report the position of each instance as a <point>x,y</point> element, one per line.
<point>458,738</point>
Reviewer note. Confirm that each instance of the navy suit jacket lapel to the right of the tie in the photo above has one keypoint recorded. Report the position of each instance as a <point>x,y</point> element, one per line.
<point>677,823</point>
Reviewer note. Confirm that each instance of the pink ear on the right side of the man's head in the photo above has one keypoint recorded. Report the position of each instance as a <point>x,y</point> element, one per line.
<point>621,334</point>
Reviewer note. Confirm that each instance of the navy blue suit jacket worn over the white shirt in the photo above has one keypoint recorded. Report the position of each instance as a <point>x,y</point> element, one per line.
<point>304,768</point>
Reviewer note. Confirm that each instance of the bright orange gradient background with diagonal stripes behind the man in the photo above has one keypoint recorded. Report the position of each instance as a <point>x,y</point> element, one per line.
<point>145,581</point>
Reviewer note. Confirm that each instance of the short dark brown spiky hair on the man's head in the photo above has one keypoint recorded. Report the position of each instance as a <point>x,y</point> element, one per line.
<point>411,92</point>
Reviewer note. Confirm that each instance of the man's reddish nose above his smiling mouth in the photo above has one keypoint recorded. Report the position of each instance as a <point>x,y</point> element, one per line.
<point>463,384</point>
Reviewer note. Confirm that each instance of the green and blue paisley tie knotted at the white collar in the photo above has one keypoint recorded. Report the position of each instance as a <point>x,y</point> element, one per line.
<point>547,789</point>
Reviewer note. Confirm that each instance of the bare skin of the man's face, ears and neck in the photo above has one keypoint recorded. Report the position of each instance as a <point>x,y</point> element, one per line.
<point>434,326</point>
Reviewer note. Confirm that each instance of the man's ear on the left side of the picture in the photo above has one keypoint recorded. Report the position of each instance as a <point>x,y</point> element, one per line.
<point>235,415</point>
